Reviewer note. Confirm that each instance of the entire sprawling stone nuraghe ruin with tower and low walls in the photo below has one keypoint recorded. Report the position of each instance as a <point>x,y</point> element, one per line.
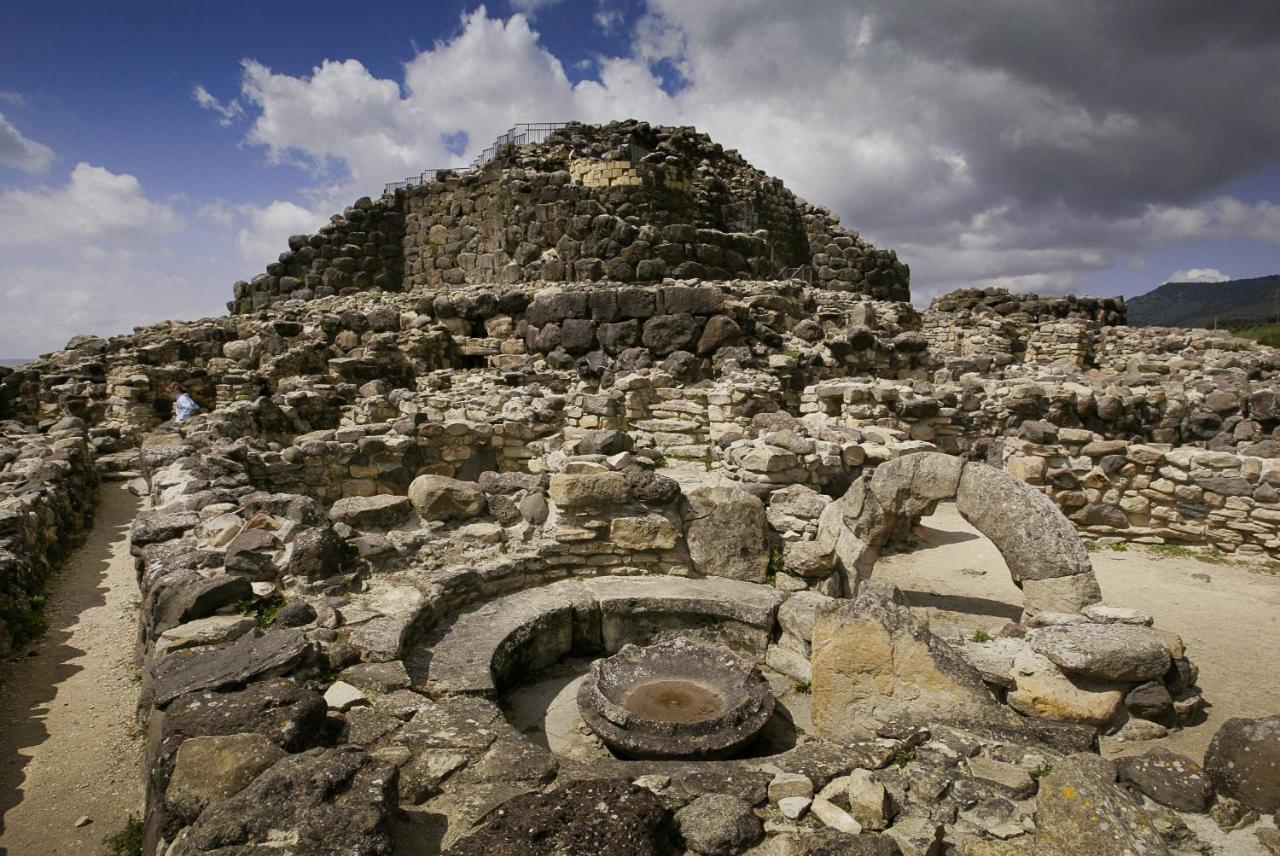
<point>618,388</point>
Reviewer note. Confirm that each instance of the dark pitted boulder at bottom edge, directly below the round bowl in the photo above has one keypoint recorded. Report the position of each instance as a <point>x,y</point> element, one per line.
<point>593,817</point>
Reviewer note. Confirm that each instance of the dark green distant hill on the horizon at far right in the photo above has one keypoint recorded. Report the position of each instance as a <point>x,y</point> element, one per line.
<point>1235,304</point>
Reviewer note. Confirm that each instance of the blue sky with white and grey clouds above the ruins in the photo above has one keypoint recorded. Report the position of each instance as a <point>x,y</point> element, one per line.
<point>153,154</point>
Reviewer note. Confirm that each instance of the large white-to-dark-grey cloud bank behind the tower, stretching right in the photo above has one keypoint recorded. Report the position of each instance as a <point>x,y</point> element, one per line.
<point>981,163</point>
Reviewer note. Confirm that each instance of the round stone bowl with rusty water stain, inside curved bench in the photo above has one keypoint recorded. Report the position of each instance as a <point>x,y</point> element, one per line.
<point>679,701</point>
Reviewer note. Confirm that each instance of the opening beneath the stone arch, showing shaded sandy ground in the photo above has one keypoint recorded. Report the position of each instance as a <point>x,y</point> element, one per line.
<point>953,575</point>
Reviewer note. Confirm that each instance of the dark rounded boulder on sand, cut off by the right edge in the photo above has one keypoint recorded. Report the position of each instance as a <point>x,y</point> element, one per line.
<point>1244,762</point>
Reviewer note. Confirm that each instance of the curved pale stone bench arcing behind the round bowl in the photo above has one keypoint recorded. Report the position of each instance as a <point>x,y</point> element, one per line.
<point>534,628</point>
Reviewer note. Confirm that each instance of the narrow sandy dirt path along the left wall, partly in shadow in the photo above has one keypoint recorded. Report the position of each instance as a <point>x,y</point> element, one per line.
<point>68,748</point>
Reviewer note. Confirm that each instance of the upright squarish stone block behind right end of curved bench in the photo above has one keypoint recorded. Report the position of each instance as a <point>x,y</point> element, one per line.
<point>725,532</point>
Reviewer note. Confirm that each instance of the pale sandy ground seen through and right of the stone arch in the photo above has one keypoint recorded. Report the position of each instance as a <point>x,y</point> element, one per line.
<point>1228,615</point>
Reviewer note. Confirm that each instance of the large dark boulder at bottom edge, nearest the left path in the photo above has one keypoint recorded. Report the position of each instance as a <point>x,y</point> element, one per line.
<point>322,802</point>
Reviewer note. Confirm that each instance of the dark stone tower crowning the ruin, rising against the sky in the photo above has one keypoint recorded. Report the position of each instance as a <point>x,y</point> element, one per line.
<point>623,203</point>
